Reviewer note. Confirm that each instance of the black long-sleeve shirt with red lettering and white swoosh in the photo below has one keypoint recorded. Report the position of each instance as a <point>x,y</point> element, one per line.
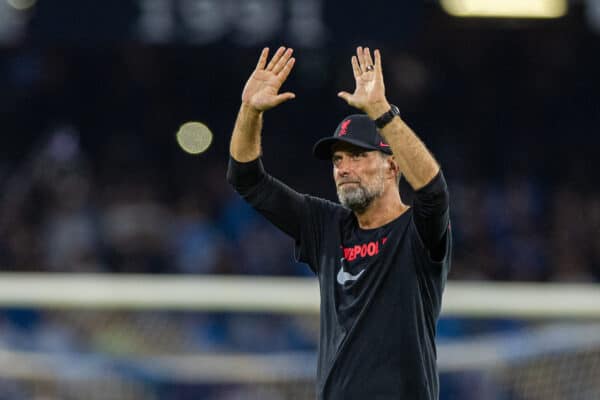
<point>381,288</point>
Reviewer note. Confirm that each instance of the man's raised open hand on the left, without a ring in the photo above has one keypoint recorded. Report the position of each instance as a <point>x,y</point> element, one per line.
<point>262,89</point>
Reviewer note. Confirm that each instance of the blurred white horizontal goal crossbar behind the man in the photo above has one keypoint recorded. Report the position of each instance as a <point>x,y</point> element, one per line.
<point>209,293</point>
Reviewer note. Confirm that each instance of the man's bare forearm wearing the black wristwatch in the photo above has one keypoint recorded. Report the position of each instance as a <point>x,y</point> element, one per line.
<point>414,160</point>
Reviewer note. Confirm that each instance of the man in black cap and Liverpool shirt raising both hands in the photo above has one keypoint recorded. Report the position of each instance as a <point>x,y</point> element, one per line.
<point>381,264</point>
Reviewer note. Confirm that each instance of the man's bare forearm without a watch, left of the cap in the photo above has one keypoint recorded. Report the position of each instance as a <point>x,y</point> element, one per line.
<point>246,137</point>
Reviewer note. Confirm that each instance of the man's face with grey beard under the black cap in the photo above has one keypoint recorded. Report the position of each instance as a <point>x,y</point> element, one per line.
<point>359,175</point>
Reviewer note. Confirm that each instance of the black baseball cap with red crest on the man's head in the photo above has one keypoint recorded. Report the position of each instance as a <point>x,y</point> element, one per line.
<point>356,129</point>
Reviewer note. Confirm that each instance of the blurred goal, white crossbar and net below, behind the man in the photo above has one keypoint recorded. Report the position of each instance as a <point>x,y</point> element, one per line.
<point>152,337</point>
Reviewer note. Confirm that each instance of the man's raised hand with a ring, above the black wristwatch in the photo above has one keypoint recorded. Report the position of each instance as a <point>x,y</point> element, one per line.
<point>369,94</point>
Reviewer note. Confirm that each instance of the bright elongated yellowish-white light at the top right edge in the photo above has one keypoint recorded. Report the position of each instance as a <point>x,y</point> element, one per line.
<point>506,8</point>
